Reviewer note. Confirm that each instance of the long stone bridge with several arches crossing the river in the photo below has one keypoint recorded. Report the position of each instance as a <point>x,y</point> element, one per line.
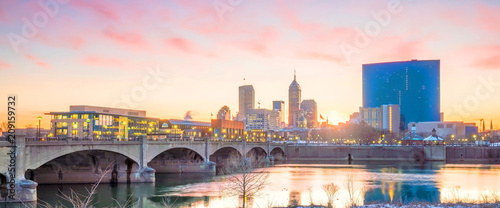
<point>31,155</point>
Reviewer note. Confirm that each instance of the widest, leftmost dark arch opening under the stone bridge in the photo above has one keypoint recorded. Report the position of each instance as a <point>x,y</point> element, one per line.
<point>85,166</point>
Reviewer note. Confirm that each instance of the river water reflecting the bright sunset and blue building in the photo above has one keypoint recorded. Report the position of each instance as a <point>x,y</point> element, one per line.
<point>377,182</point>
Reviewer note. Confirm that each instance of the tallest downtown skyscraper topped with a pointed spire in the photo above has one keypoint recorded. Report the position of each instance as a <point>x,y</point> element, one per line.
<point>294,98</point>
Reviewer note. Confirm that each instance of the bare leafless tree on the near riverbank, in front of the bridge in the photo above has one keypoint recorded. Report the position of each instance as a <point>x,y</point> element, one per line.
<point>246,177</point>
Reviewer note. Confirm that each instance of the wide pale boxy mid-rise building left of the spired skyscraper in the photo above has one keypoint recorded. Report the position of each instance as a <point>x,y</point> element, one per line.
<point>262,119</point>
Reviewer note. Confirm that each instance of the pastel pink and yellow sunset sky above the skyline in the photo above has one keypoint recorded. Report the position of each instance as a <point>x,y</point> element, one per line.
<point>172,56</point>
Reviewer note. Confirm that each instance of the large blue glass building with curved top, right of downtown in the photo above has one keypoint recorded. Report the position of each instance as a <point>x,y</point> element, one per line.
<point>414,85</point>
